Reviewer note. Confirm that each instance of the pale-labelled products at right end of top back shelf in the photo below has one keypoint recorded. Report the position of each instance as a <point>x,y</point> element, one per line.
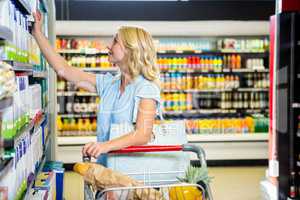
<point>243,45</point>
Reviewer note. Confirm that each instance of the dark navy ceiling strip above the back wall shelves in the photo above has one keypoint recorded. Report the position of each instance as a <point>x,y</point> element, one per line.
<point>95,10</point>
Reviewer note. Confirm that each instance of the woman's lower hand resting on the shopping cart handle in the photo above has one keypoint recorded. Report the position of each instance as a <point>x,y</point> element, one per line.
<point>95,149</point>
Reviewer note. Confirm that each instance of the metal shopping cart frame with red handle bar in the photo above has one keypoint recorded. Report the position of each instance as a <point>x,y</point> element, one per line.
<point>199,151</point>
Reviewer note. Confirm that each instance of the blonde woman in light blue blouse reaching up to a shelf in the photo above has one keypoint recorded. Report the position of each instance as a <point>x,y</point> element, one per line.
<point>131,97</point>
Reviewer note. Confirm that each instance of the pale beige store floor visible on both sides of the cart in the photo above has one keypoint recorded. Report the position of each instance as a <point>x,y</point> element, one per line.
<point>229,183</point>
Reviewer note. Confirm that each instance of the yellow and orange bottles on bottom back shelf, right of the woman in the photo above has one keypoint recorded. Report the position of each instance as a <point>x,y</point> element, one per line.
<point>257,124</point>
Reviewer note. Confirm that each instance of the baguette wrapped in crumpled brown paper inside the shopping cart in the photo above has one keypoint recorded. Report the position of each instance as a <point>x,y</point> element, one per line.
<point>102,178</point>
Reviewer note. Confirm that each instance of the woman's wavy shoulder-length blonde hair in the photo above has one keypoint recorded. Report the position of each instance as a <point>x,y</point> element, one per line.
<point>141,54</point>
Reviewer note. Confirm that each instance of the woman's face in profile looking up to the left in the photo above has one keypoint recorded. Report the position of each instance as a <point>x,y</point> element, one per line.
<point>116,51</point>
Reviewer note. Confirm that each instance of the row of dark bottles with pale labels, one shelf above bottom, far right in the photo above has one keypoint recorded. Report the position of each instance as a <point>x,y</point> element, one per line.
<point>233,100</point>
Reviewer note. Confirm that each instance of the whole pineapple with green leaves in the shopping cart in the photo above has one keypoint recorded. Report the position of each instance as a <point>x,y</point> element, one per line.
<point>193,175</point>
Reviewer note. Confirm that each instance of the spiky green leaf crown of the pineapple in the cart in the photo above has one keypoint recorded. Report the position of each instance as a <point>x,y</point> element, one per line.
<point>194,175</point>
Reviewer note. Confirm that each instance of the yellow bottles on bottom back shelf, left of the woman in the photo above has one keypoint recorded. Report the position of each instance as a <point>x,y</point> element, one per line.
<point>73,126</point>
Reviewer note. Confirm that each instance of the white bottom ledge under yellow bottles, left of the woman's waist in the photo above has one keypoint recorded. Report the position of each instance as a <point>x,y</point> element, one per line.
<point>75,140</point>
